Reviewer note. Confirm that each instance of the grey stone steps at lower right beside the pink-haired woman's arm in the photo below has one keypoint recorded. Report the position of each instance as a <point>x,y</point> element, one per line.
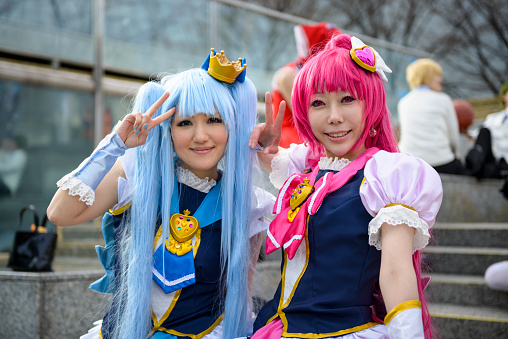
<point>461,304</point>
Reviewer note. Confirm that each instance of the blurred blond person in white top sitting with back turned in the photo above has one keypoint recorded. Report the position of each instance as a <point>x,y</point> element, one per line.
<point>428,123</point>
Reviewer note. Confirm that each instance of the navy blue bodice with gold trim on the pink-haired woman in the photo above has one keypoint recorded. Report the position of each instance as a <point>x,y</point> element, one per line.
<point>335,292</point>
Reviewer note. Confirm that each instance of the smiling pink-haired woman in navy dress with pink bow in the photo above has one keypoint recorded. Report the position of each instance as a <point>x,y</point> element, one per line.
<point>353,226</point>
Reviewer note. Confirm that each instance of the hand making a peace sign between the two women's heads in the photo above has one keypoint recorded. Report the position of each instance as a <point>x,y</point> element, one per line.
<point>268,134</point>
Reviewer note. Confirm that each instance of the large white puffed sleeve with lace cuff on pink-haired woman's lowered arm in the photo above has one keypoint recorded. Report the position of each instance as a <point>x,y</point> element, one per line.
<point>401,189</point>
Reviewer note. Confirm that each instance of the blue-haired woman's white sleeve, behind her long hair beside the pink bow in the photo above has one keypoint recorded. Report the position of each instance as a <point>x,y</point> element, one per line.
<point>261,204</point>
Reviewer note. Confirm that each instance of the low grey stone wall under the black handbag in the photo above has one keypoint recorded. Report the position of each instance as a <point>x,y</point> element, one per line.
<point>49,305</point>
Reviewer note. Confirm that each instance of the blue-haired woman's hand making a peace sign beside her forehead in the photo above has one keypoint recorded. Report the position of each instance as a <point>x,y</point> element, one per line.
<point>134,128</point>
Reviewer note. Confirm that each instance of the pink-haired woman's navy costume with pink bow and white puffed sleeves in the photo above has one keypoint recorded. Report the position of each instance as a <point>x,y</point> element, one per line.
<point>331,257</point>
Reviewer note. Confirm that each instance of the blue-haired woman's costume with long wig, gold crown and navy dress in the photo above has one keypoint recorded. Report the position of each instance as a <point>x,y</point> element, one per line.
<point>189,261</point>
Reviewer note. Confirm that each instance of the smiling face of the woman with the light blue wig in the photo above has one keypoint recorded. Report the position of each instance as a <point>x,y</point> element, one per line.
<point>200,142</point>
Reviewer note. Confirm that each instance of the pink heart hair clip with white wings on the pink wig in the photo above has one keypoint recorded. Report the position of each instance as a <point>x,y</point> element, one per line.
<point>367,58</point>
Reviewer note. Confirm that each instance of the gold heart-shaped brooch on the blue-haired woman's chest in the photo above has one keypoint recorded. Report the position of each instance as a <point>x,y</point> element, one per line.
<point>182,228</point>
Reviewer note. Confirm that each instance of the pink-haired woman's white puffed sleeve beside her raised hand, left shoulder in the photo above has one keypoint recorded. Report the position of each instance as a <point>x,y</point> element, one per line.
<point>287,162</point>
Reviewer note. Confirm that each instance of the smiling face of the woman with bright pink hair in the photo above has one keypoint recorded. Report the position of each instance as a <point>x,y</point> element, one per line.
<point>336,121</point>
